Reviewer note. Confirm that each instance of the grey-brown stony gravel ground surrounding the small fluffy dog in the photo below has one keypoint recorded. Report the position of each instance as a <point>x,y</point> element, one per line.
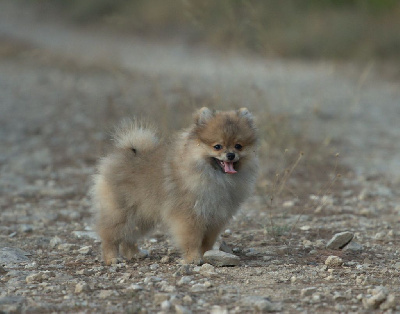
<point>61,90</point>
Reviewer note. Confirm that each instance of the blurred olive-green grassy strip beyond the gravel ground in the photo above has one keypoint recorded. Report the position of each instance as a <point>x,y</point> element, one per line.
<point>312,29</point>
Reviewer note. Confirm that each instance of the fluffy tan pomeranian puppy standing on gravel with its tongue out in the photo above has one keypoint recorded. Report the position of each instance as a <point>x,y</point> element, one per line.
<point>193,184</point>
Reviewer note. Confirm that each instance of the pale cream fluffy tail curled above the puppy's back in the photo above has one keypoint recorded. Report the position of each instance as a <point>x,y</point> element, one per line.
<point>136,135</point>
